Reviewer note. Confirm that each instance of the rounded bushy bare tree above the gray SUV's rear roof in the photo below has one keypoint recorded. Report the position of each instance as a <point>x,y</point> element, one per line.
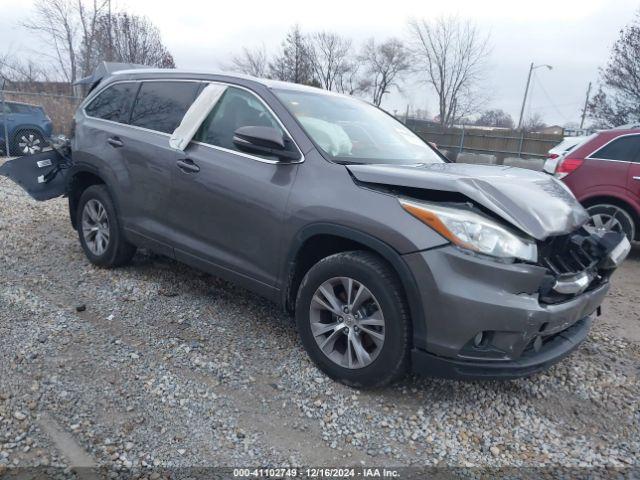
<point>131,39</point>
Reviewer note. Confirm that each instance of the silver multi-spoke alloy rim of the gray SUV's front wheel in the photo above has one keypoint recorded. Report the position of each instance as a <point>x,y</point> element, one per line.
<point>347,322</point>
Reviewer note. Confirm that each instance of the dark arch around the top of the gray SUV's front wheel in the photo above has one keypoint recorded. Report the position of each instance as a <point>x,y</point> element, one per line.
<point>318,241</point>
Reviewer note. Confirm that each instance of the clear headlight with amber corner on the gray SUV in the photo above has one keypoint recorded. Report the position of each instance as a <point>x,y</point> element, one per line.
<point>472,231</point>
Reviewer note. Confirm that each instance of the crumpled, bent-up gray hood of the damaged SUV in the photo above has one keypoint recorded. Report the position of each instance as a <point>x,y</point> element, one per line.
<point>536,203</point>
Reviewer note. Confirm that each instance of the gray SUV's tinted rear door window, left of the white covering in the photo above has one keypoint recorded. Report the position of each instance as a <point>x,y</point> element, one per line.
<point>160,106</point>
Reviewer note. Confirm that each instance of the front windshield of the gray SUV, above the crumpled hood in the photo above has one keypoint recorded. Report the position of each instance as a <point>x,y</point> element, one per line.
<point>352,131</point>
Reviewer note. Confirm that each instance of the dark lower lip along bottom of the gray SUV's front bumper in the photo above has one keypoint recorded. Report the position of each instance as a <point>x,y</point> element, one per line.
<point>534,359</point>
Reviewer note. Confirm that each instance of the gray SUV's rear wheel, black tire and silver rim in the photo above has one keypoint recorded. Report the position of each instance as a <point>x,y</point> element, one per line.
<point>96,219</point>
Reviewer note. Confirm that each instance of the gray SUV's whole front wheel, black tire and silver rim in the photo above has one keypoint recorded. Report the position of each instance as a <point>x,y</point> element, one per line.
<point>388,359</point>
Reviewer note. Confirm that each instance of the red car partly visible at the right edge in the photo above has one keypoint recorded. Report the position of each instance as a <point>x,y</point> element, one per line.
<point>603,172</point>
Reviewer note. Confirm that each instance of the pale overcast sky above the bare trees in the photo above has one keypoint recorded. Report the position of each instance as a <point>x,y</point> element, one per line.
<point>574,36</point>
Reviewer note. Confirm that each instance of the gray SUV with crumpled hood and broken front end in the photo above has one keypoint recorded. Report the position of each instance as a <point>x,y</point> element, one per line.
<point>390,257</point>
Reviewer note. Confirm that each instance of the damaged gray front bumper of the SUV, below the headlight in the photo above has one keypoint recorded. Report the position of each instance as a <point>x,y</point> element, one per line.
<point>486,319</point>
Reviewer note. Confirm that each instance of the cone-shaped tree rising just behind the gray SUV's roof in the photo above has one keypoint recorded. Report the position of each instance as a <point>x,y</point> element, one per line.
<point>293,64</point>
